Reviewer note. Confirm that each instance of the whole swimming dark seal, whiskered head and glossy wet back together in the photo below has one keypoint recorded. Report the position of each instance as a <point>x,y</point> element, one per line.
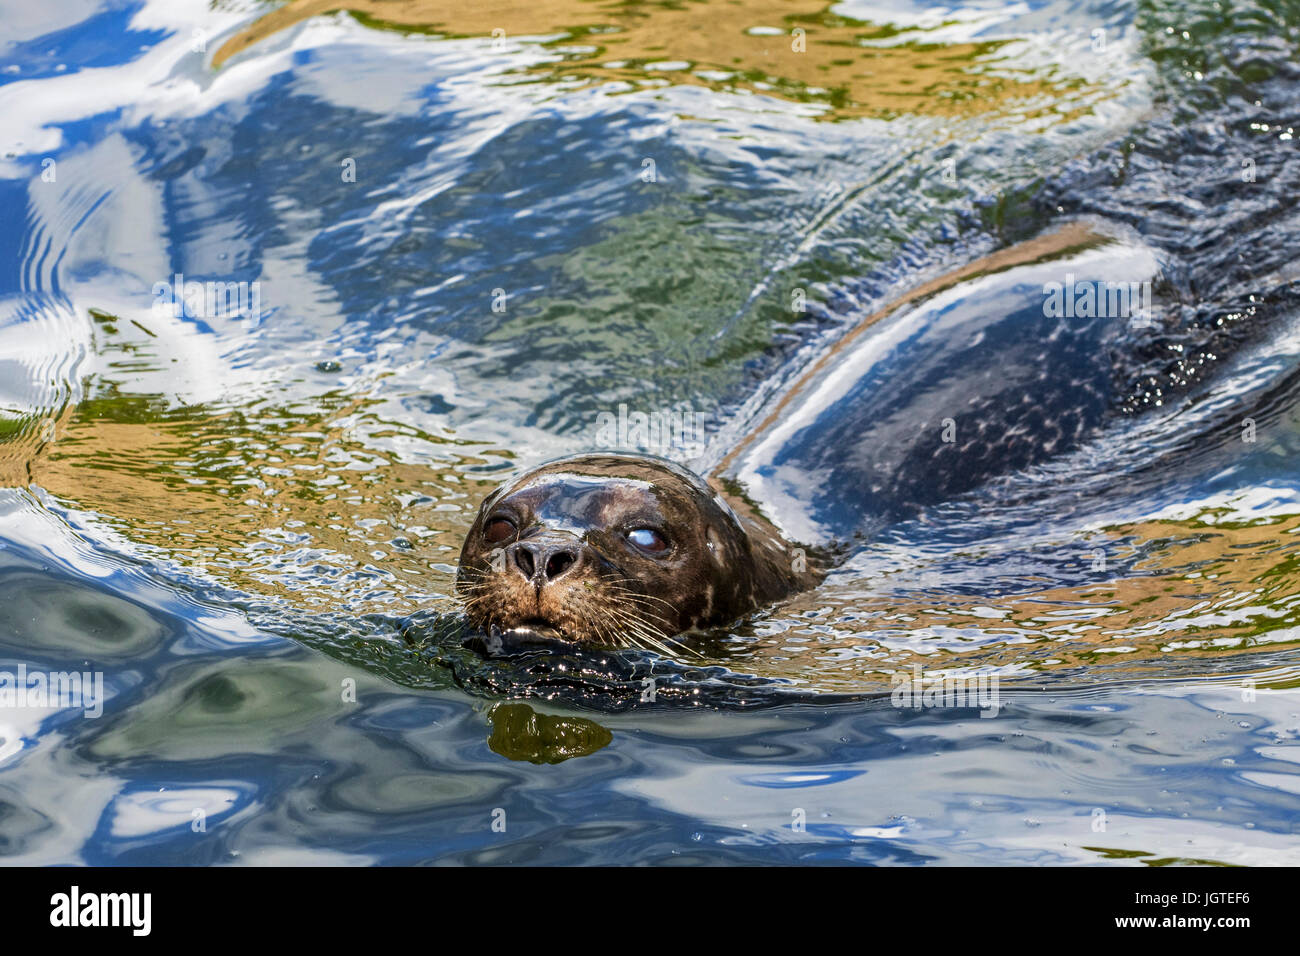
<point>967,379</point>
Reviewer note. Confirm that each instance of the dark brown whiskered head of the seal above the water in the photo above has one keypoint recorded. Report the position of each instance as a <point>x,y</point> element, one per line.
<point>610,548</point>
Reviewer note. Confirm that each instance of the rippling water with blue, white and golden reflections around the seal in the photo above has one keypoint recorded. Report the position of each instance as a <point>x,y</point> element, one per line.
<point>250,527</point>
